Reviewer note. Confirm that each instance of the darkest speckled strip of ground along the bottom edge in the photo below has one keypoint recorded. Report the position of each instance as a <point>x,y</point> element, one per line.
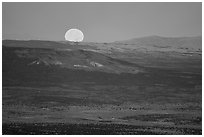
<point>90,129</point>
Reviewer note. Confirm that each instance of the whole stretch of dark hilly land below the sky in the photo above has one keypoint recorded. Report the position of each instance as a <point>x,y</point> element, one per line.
<point>107,88</point>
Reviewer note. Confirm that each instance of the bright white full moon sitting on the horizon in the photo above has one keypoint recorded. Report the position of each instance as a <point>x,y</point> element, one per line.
<point>74,35</point>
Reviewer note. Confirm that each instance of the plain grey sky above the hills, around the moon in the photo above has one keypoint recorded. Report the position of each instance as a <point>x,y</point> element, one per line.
<point>100,22</point>
